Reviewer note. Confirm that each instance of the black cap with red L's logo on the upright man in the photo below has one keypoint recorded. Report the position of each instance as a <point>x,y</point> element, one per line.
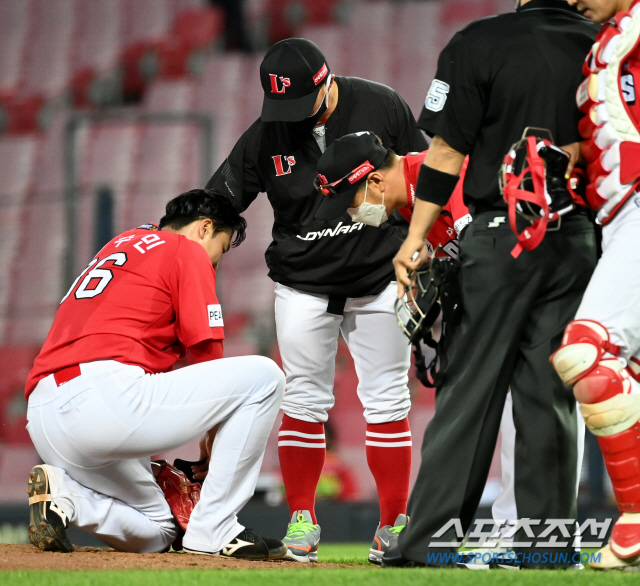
<point>291,73</point>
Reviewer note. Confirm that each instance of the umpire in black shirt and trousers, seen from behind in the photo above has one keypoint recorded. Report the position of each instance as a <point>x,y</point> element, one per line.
<point>495,78</point>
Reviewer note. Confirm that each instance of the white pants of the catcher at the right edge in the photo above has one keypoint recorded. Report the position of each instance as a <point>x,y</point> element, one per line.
<point>612,297</point>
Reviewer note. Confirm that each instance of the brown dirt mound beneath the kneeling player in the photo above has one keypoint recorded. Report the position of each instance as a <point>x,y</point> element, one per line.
<point>28,557</point>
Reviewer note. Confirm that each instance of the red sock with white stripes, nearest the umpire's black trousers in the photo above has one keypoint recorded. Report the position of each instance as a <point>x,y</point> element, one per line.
<point>389,459</point>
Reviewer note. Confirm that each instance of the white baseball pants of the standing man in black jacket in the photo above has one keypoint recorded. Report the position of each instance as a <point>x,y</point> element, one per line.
<point>308,342</point>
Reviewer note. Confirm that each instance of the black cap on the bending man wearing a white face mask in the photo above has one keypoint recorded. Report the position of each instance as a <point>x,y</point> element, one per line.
<point>342,168</point>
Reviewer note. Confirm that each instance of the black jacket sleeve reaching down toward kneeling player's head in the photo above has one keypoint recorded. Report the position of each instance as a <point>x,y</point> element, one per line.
<point>237,177</point>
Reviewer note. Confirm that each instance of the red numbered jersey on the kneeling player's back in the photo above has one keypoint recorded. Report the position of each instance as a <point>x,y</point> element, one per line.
<point>146,297</point>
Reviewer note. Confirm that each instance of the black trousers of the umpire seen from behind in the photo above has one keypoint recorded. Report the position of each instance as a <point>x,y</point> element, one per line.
<point>515,312</point>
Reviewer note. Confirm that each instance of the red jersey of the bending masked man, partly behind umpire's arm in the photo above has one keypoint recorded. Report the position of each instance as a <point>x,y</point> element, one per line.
<point>455,215</point>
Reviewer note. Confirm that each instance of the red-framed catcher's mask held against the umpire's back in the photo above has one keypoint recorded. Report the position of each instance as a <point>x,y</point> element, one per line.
<point>533,184</point>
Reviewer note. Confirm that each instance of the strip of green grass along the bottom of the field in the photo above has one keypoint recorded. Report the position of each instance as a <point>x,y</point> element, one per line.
<point>303,575</point>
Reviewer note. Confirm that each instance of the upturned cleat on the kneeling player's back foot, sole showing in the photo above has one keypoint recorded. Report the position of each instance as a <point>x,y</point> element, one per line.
<point>47,522</point>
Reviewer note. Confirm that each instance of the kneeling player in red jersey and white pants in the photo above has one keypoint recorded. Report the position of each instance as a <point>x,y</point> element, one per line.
<point>103,399</point>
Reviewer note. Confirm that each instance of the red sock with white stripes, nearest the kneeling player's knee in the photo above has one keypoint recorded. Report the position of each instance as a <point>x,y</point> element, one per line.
<point>301,449</point>
